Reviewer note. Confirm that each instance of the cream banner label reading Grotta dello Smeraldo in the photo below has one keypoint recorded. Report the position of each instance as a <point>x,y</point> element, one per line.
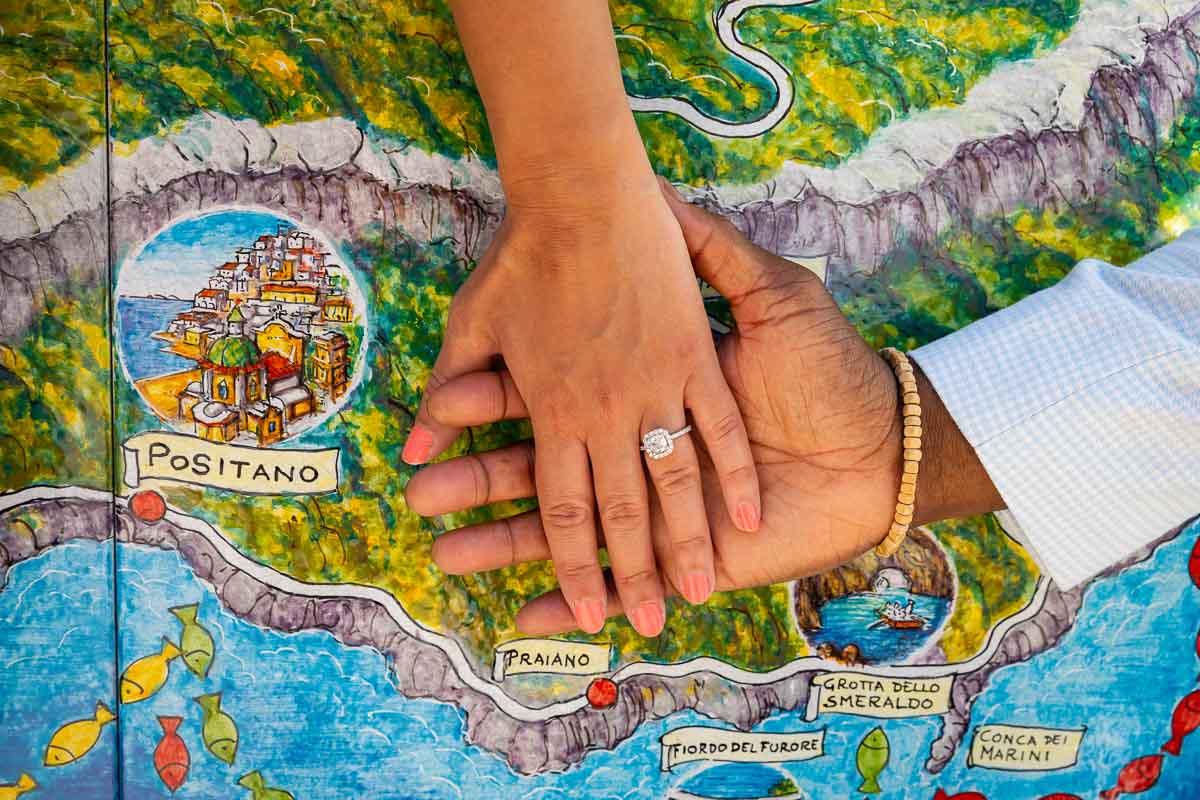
<point>877,696</point>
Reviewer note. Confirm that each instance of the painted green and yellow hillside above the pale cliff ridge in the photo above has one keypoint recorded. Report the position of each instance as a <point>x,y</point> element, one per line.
<point>404,77</point>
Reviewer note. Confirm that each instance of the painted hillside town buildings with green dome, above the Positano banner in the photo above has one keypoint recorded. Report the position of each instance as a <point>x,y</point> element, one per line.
<point>266,336</point>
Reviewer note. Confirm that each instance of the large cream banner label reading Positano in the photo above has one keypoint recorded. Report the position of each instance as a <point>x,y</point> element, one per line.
<point>181,459</point>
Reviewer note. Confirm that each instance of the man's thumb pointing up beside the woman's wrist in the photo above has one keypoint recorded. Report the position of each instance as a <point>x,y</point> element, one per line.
<point>729,262</point>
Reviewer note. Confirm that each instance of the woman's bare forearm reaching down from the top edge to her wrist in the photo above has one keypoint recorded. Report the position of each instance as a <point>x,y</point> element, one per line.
<point>550,79</point>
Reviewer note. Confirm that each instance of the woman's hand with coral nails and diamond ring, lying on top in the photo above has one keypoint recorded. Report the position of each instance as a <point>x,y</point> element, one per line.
<point>591,300</point>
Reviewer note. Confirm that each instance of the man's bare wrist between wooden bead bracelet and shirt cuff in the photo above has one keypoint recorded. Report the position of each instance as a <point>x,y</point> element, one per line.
<point>953,482</point>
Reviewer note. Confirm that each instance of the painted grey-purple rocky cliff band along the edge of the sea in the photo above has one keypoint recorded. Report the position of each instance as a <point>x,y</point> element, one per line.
<point>41,519</point>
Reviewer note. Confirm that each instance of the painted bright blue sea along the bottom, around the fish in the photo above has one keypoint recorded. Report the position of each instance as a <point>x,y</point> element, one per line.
<point>326,721</point>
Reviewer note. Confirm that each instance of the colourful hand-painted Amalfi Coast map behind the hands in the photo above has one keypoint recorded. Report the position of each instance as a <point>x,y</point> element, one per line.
<point>230,234</point>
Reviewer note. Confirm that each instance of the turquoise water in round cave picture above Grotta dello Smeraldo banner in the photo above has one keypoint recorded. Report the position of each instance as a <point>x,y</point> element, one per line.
<point>853,619</point>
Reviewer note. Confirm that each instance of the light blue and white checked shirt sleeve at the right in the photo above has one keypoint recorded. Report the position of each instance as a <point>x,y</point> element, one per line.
<point>1083,402</point>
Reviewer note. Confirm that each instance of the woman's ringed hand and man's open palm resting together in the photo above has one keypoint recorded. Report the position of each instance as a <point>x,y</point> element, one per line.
<point>793,466</point>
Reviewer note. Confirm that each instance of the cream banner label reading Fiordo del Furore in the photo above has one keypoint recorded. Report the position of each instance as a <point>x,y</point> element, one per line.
<point>705,744</point>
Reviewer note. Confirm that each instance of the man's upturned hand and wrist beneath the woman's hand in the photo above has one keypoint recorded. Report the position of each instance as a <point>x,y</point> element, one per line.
<point>820,408</point>
